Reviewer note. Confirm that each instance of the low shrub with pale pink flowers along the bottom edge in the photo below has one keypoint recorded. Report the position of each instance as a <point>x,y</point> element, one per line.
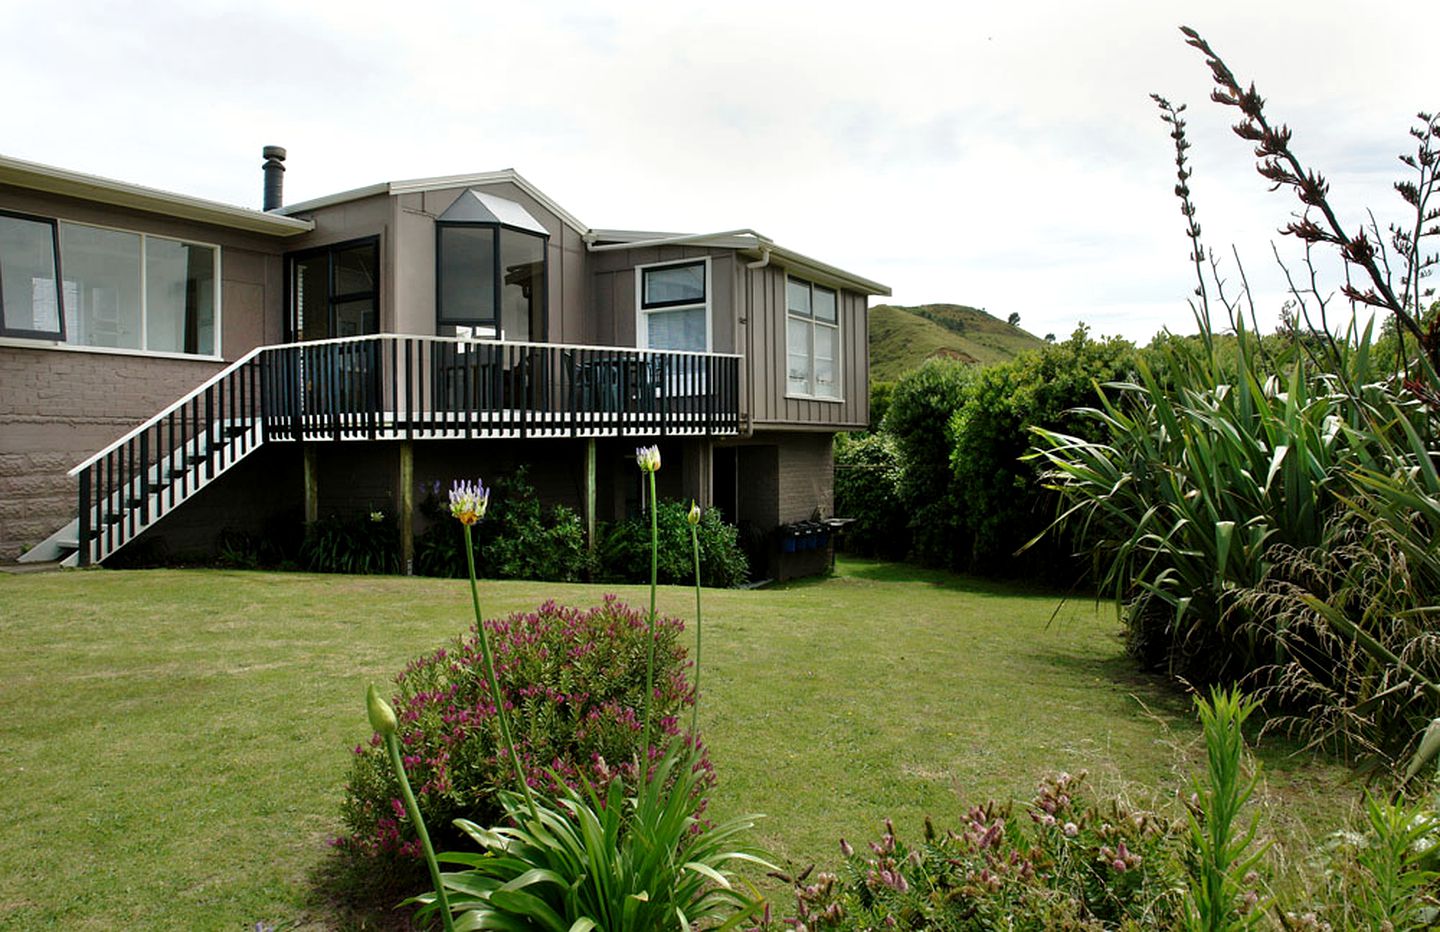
<point>1066,864</point>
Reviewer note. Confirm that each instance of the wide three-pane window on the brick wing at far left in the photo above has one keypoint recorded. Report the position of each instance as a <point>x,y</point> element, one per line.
<point>93,286</point>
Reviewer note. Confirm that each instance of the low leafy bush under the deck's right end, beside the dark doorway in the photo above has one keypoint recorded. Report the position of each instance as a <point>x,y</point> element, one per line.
<point>626,550</point>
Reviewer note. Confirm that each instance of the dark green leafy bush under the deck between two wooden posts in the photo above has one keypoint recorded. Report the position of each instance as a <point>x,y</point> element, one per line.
<point>516,541</point>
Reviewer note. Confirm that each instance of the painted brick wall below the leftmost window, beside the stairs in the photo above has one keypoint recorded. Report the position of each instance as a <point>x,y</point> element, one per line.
<point>57,408</point>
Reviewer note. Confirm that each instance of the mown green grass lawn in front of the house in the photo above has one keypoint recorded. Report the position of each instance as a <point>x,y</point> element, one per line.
<point>174,743</point>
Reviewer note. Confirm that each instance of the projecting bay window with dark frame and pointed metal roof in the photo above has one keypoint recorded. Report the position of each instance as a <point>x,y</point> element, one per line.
<point>490,269</point>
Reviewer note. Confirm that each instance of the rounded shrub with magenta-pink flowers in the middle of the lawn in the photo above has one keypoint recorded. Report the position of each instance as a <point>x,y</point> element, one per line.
<point>572,681</point>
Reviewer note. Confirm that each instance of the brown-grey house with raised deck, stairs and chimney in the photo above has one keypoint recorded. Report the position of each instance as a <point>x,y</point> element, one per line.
<point>172,367</point>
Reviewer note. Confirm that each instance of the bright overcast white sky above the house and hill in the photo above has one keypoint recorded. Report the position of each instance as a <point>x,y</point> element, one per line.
<point>1004,156</point>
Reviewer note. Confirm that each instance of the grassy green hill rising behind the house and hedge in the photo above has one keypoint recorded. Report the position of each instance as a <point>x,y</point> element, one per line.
<point>904,338</point>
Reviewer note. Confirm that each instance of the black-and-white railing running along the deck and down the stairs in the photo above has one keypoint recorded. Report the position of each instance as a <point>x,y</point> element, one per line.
<point>394,387</point>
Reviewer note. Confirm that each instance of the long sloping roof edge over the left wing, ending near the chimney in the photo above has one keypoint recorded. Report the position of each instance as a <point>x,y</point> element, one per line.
<point>35,176</point>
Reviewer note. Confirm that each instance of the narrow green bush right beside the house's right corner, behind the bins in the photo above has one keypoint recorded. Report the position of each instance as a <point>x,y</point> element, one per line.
<point>868,489</point>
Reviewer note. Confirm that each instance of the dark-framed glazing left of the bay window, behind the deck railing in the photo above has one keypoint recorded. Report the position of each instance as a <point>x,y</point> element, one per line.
<point>335,292</point>
